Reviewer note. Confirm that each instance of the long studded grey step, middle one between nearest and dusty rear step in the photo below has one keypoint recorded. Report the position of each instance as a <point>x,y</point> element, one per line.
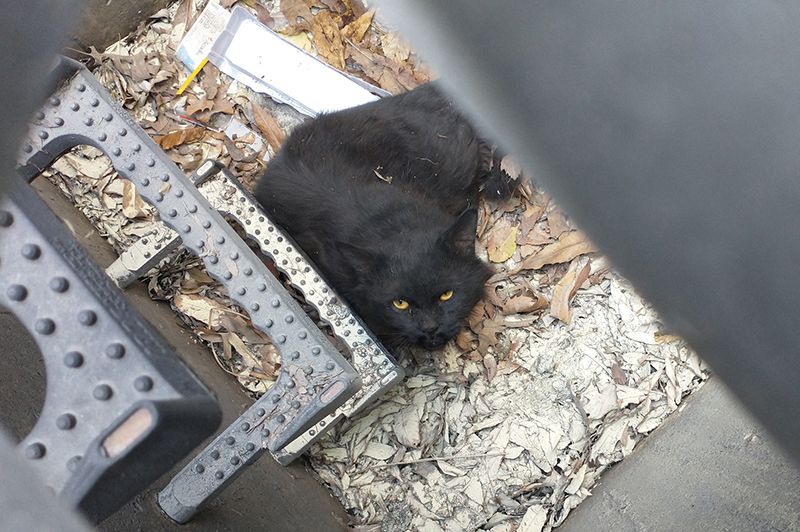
<point>315,378</point>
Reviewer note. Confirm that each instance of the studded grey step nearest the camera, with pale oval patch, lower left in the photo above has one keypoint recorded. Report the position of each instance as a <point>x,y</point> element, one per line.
<point>118,400</point>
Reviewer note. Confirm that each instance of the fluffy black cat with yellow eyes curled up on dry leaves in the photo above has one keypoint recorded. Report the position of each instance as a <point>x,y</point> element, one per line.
<point>383,199</point>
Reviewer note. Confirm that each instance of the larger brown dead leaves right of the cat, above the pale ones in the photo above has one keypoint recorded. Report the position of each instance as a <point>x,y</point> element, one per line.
<point>541,262</point>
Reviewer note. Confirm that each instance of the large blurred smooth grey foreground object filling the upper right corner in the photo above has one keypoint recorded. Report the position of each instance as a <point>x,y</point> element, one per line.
<point>670,131</point>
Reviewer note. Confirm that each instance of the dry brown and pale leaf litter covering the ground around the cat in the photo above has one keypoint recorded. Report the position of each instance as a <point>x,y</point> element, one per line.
<point>562,370</point>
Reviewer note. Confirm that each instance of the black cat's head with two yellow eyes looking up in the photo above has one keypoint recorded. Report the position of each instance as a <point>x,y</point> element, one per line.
<point>423,293</point>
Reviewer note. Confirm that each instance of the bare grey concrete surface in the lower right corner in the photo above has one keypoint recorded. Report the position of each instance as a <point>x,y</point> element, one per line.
<point>710,468</point>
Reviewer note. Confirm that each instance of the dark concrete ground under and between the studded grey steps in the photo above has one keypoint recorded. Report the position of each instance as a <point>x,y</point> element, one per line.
<point>266,497</point>
